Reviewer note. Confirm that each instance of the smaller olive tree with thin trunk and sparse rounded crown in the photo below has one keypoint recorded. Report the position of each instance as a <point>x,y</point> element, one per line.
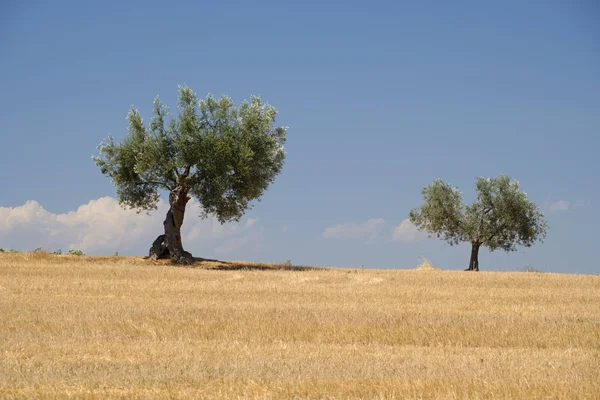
<point>501,218</point>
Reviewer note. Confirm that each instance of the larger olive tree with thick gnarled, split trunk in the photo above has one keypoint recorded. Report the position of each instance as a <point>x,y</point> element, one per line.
<point>222,155</point>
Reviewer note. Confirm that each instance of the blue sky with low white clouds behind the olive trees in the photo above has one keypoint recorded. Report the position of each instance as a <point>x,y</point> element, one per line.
<point>381,98</point>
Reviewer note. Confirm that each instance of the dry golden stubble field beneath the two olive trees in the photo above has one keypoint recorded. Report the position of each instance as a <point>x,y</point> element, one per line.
<point>91,327</point>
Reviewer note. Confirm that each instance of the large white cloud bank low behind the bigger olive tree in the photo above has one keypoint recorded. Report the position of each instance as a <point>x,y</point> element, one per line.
<point>102,226</point>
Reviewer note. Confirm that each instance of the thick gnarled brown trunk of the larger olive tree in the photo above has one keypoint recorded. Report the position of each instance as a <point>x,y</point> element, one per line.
<point>169,244</point>
